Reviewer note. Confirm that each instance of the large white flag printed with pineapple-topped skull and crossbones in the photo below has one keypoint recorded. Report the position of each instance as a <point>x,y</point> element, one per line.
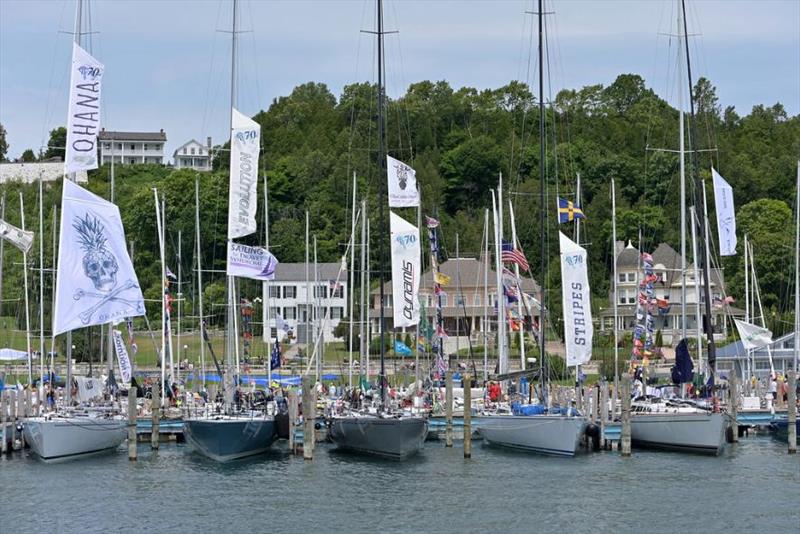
<point>96,283</point>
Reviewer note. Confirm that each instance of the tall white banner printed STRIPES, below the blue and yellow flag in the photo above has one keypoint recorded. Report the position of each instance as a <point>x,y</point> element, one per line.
<point>578,329</point>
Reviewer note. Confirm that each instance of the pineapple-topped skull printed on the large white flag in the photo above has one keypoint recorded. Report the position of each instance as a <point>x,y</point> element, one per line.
<point>99,264</point>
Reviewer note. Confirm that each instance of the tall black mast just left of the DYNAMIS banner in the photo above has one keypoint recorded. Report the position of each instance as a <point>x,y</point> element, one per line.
<point>382,199</point>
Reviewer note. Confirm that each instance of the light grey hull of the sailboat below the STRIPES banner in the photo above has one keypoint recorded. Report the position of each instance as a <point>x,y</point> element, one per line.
<point>546,434</point>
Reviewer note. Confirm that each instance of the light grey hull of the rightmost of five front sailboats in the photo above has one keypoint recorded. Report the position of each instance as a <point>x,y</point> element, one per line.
<point>692,432</point>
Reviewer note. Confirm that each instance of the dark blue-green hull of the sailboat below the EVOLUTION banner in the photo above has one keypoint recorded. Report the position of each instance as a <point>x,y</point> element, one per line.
<point>230,437</point>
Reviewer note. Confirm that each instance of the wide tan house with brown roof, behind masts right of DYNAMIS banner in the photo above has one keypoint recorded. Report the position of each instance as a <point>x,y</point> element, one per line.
<point>465,302</point>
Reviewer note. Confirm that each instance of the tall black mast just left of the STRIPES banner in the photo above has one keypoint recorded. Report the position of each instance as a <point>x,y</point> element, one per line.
<point>542,221</point>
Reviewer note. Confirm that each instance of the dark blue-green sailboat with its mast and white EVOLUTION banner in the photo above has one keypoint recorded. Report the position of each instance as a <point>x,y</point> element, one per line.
<point>234,430</point>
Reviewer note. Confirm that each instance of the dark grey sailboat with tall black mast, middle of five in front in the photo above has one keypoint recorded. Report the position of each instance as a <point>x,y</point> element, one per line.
<point>379,431</point>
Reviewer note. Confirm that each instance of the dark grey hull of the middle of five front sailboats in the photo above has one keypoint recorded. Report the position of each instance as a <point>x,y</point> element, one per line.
<point>396,438</point>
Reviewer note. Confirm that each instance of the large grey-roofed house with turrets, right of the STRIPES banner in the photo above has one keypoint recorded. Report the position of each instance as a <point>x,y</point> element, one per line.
<point>667,267</point>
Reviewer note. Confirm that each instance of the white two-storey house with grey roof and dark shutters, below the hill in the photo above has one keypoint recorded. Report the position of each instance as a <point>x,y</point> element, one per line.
<point>298,301</point>
